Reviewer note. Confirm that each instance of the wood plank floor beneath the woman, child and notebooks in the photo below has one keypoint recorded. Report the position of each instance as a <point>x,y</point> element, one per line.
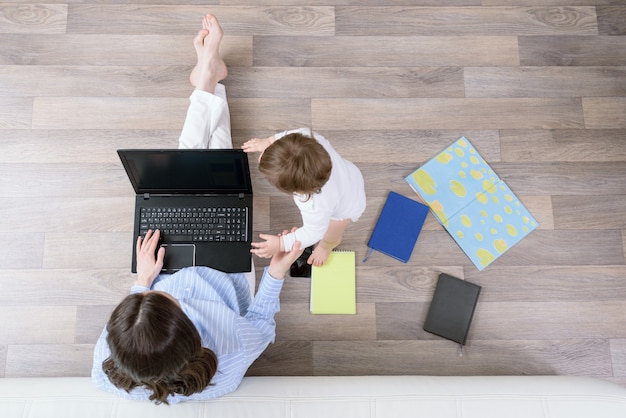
<point>538,86</point>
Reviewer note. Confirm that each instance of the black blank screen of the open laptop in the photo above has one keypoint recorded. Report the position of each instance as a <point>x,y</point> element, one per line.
<point>187,171</point>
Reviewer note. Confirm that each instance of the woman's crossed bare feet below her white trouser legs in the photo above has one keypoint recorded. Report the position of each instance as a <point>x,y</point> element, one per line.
<point>211,68</point>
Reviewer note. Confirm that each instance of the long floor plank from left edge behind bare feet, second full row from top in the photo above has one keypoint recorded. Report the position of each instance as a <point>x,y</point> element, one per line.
<point>113,49</point>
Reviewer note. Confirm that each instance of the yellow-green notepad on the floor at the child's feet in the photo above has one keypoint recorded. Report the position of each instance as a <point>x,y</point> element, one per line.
<point>333,285</point>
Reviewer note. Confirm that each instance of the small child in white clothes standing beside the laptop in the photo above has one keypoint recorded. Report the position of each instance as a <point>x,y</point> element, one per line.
<point>328,190</point>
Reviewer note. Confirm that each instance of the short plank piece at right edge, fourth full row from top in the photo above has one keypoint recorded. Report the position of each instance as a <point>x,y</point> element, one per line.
<point>605,113</point>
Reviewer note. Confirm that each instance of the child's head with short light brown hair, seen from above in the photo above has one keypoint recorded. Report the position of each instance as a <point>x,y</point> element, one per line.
<point>296,164</point>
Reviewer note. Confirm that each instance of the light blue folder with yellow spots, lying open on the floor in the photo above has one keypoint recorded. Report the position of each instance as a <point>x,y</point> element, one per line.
<point>475,206</point>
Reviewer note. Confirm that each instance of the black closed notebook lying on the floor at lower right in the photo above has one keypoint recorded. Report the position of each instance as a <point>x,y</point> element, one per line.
<point>452,308</point>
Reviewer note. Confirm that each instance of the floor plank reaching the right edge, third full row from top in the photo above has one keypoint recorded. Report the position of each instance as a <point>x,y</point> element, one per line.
<point>545,81</point>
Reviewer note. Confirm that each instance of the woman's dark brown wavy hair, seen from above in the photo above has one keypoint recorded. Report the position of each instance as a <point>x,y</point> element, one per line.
<point>155,345</point>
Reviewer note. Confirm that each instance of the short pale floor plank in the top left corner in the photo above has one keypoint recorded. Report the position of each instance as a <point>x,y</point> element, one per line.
<point>33,18</point>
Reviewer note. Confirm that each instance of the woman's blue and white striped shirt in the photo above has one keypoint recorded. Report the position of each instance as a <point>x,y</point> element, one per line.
<point>219,304</point>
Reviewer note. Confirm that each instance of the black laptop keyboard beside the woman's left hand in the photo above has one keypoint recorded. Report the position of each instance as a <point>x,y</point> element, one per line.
<point>184,224</point>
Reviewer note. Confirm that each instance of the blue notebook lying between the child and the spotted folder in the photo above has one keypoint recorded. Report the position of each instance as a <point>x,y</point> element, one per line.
<point>399,224</point>
